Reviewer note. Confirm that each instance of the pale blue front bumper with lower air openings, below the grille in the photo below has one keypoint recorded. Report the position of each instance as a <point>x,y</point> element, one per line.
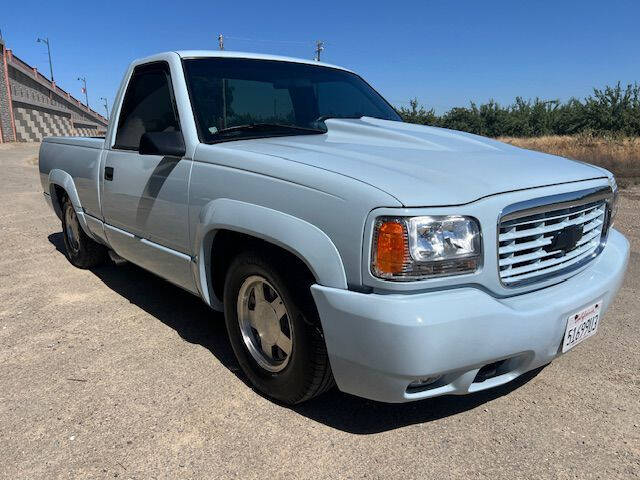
<point>379,344</point>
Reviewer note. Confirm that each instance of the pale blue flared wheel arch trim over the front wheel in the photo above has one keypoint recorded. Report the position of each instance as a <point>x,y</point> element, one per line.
<point>301,238</point>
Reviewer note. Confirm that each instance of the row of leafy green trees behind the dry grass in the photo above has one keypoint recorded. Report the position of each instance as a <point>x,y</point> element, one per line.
<point>608,111</point>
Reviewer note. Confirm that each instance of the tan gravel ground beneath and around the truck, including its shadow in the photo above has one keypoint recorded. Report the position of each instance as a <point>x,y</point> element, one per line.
<point>116,373</point>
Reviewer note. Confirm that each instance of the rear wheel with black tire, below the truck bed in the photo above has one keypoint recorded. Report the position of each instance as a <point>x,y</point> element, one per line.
<point>81,250</point>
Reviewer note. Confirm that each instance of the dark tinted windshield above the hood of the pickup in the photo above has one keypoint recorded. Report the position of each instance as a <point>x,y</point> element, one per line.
<point>236,98</point>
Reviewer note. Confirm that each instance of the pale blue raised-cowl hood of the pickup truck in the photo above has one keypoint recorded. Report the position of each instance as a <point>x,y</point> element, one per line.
<point>420,165</point>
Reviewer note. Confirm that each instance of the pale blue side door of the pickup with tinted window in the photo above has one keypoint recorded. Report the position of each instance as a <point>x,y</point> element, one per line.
<point>144,197</point>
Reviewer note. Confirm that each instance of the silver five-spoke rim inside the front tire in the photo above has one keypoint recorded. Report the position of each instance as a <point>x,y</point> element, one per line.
<point>264,323</point>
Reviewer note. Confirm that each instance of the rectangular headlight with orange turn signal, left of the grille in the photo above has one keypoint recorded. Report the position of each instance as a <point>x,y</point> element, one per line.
<point>414,248</point>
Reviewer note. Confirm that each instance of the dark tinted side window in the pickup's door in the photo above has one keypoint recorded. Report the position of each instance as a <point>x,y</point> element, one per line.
<point>147,107</point>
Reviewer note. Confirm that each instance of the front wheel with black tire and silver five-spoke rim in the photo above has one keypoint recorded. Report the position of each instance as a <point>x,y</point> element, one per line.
<point>292,377</point>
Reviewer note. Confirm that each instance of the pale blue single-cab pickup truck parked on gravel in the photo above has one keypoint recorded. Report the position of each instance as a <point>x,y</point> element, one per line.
<point>397,261</point>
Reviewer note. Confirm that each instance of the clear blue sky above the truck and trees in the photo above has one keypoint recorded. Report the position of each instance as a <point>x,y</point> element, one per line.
<point>445,53</point>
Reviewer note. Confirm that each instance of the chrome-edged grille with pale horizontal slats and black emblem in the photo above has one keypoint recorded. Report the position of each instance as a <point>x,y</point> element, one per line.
<point>525,251</point>
